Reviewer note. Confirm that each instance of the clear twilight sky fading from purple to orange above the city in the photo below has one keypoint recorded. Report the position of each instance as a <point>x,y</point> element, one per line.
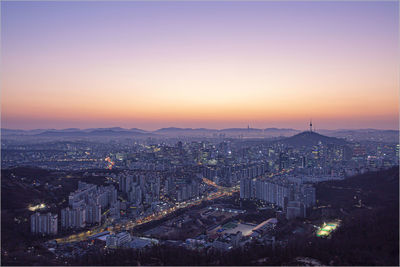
<point>200,64</point>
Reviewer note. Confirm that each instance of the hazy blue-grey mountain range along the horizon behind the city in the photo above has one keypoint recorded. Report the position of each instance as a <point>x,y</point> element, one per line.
<point>352,135</point>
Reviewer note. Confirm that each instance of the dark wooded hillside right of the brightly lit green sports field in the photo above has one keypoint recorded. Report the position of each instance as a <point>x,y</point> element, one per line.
<point>369,234</point>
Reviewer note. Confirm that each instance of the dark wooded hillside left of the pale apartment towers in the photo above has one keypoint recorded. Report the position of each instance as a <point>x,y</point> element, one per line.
<point>23,187</point>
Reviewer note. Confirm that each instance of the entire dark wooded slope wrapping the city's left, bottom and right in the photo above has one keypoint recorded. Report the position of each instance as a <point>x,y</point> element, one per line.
<point>368,235</point>
